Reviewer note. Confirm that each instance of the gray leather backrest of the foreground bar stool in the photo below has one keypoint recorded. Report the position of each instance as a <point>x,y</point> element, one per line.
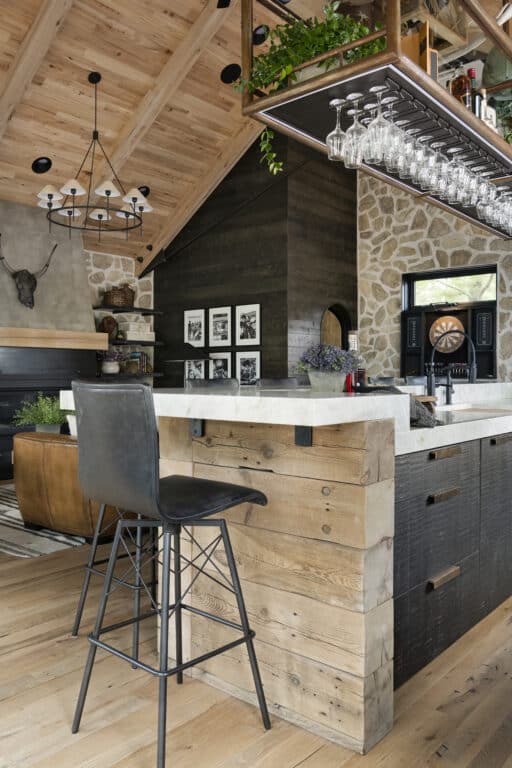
<point>118,445</point>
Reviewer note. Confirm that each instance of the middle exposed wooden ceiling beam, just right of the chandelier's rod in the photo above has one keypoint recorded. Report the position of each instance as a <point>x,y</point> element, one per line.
<point>170,79</point>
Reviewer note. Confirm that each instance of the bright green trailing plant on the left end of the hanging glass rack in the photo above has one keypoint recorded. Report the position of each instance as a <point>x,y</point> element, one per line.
<point>296,42</point>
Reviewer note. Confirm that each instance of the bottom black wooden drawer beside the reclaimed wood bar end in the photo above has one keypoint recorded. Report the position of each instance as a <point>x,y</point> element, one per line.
<point>428,620</point>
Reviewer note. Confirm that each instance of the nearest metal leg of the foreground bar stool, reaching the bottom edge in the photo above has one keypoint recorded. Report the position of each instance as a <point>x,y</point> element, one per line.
<point>164,647</point>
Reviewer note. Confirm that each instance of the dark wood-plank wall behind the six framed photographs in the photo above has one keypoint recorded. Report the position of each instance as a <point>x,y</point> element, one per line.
<point>286,242</point>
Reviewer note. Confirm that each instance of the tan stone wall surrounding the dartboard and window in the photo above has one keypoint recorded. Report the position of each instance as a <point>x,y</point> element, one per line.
<point>400,233</point>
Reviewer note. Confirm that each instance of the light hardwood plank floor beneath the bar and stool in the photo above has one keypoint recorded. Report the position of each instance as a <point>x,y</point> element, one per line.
<point>455,713</point>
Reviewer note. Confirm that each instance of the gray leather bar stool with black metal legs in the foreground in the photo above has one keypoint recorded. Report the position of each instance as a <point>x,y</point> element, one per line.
<point>118,466</point>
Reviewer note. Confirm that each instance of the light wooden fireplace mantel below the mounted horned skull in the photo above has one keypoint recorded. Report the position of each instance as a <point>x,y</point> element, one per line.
<point>52,339</point>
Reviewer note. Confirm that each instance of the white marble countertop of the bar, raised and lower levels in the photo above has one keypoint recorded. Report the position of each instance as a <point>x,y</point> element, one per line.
<point>479,410</point>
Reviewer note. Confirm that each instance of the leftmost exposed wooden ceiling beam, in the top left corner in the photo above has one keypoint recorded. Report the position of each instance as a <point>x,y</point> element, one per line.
<point>30,56</point>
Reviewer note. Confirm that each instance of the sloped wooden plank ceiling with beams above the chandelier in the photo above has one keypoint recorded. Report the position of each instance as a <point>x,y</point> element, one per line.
<point>164,115</point>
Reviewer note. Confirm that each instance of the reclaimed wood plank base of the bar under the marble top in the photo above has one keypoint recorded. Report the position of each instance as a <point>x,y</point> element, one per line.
<point>316,566</point>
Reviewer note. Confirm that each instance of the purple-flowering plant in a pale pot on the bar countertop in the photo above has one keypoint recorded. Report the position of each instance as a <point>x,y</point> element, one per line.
<point>327,366</point>
